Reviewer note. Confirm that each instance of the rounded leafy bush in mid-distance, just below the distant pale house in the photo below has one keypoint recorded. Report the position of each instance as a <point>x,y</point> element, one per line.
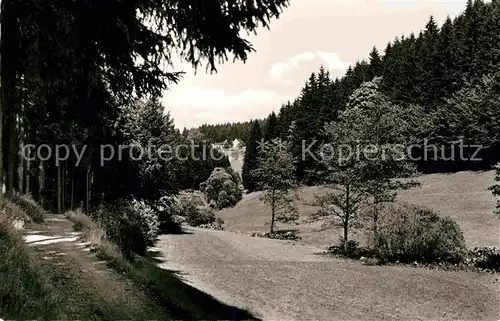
<point>222,188</point>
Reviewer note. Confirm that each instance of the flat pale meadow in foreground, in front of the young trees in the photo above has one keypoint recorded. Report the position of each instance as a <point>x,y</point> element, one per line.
<point>279,281</point>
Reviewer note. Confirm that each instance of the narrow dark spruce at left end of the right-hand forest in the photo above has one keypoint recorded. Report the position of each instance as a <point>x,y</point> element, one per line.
<point>251,155</point>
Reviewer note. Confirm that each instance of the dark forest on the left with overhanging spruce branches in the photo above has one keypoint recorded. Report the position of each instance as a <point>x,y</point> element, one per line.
<point>79,79</point>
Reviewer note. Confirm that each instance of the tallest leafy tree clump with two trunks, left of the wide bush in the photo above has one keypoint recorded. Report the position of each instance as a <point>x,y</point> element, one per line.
<point>363,157</point>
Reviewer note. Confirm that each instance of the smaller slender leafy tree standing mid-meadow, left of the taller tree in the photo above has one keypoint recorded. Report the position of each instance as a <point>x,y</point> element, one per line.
<point>275,176</point>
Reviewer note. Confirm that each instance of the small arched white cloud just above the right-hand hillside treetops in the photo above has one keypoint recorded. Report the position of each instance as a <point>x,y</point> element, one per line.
<point>281,69</point>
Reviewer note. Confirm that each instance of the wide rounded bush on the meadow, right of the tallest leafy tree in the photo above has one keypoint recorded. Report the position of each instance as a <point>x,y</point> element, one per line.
<point>408,233</point>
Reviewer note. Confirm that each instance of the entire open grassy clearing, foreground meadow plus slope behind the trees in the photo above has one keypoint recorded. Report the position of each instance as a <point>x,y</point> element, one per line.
<point>282,280</point>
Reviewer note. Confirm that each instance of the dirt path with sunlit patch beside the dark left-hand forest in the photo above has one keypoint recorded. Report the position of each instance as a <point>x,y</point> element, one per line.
<point>94,290</point>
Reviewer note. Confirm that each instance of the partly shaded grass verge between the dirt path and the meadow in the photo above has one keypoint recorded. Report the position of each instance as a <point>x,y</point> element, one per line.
<point>179,300</point>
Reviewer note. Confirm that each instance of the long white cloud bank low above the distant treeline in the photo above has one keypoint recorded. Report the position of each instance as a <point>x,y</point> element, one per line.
<point>193,105</point>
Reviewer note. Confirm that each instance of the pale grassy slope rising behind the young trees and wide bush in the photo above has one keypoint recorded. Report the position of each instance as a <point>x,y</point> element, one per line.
<point>463,196</point>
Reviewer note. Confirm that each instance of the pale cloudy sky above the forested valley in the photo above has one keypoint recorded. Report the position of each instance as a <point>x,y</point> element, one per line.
<point>310,33</point>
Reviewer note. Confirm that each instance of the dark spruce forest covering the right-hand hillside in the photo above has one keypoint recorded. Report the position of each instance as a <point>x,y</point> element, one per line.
<point>448,73</point>
